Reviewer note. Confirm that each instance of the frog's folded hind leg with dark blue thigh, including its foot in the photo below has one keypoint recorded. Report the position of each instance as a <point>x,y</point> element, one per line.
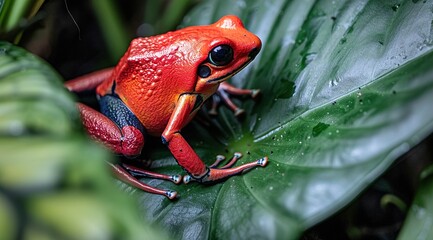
<point>118,128</point>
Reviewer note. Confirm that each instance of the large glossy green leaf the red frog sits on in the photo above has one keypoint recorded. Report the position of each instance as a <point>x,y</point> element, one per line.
<point>347,88</point>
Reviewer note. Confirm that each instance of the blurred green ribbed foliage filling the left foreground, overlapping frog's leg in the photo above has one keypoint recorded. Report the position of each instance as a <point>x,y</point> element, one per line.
<point>54,183</point>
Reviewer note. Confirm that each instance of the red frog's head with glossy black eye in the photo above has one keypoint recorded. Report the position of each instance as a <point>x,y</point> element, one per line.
<point>227,48</point>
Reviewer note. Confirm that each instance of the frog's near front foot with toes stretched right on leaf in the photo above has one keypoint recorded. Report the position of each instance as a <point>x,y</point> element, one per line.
<point>215,174</point>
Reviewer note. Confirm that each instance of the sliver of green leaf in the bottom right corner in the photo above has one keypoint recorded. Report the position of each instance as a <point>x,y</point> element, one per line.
<point>419,222</point>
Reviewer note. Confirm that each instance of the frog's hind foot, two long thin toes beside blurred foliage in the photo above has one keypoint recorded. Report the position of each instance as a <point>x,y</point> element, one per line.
<point>124,175</point>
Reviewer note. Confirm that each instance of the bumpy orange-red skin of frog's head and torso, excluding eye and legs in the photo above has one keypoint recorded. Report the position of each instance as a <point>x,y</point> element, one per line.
<point>156,70</point>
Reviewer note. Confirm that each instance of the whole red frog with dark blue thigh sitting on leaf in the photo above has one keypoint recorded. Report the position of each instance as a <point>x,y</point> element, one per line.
<point>157,88</point>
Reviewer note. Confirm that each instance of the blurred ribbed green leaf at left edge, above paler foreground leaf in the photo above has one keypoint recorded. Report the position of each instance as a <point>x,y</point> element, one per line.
<point>32,98</point>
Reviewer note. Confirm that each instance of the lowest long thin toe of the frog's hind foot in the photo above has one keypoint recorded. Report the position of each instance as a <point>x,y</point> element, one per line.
<point>127,177</point>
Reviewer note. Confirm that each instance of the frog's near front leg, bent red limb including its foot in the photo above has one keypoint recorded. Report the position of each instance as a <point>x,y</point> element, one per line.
<point>186,107</point>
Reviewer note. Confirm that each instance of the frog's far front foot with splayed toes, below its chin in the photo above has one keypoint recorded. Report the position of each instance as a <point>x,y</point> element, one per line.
<point>223,93</point>
